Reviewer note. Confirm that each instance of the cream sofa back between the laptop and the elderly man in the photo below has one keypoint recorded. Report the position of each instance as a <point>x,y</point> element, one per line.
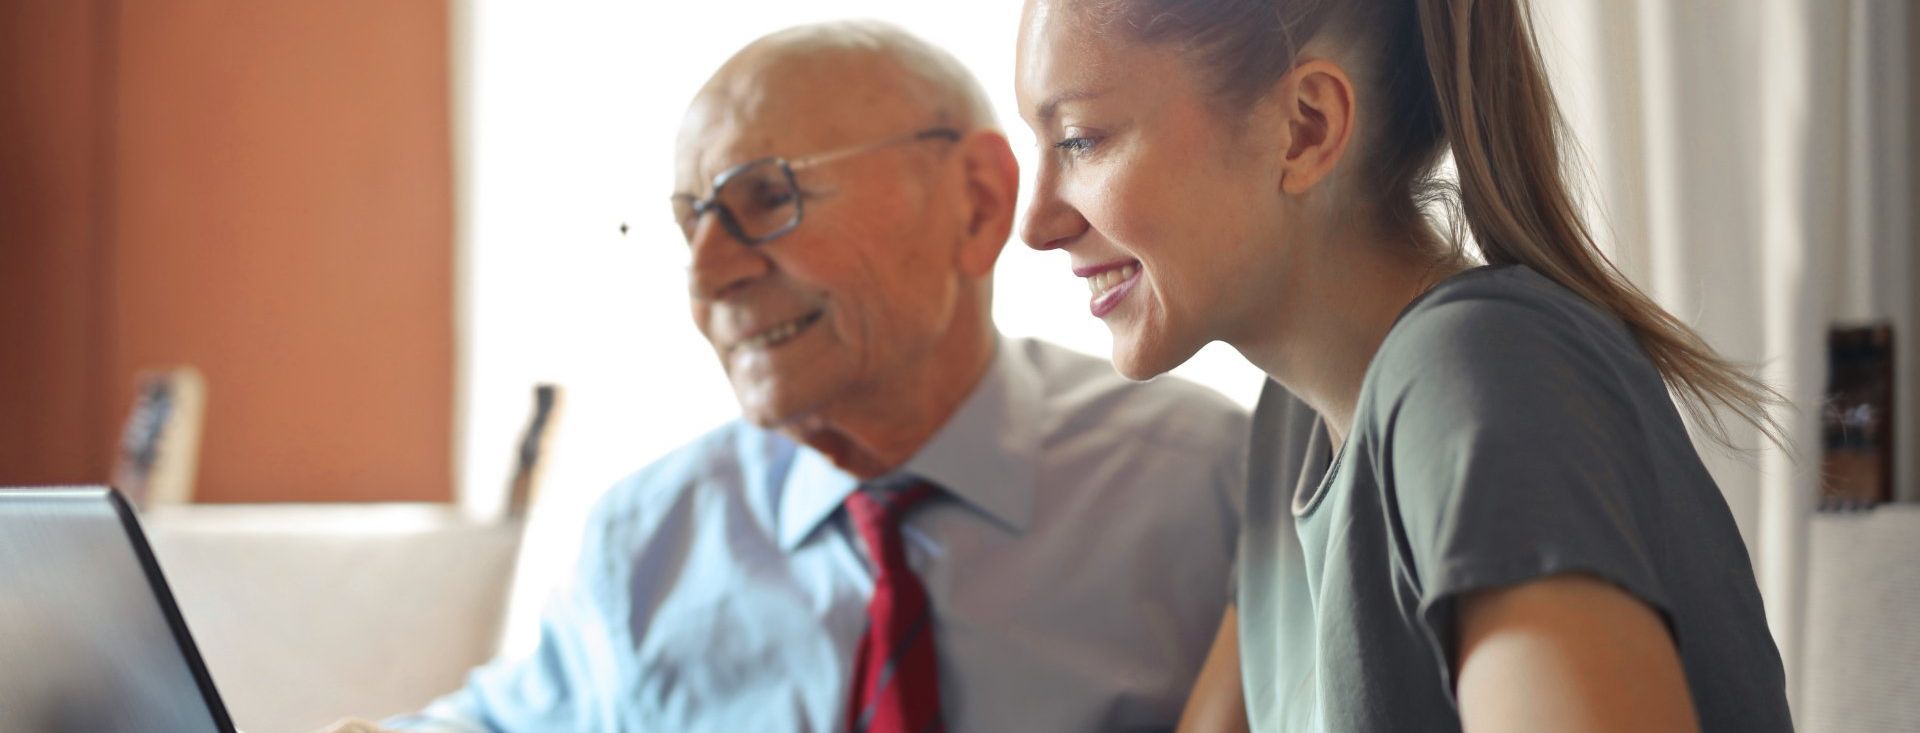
<point>310,613</point>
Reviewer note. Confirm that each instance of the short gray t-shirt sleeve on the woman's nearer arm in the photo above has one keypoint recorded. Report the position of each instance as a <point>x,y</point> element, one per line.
<point>1516,452</point>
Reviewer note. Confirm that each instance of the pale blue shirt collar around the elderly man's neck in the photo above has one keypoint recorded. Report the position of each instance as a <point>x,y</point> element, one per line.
<point>986,456</point>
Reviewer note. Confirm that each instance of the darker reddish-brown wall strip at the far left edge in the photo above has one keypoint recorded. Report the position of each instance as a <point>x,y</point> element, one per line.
<point>51,268</point>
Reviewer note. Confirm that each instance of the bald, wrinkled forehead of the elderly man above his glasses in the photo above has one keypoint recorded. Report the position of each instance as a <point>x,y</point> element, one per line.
<point>790,106</point>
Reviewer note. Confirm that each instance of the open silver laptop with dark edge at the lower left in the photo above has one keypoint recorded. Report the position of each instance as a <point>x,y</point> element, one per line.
<point>89,636</point>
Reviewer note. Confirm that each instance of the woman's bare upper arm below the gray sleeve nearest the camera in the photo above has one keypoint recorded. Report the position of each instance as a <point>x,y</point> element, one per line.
<point>1568,653</point>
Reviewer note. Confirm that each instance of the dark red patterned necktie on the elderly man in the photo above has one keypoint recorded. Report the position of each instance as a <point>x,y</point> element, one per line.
<point>896,678</point>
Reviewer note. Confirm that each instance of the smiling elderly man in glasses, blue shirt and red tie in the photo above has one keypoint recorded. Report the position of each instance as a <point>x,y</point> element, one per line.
<point>919,523</point>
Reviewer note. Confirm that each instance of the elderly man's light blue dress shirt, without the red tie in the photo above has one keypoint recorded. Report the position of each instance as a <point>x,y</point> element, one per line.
<point>1078,567</point>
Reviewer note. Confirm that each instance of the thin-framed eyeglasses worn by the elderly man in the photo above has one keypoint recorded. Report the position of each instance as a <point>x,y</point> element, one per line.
<point>757,202</point>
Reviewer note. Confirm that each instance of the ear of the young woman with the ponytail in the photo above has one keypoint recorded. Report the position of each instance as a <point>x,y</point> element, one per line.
<point>1316,112</point>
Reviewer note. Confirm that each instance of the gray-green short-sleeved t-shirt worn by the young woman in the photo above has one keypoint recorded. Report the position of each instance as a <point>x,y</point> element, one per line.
<point>1506,431</point>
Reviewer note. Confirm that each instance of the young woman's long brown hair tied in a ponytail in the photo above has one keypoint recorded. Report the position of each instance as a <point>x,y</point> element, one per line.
<point>1464,78</point>
